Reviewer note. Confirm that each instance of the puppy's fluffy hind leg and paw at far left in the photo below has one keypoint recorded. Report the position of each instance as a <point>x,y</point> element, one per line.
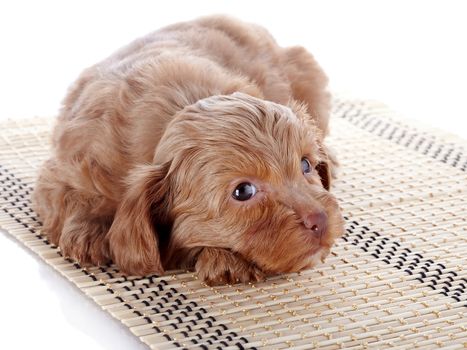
<point>72,219</point>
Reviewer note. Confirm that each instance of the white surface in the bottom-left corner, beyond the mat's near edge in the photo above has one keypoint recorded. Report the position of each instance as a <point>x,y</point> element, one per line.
<point>41,309</point>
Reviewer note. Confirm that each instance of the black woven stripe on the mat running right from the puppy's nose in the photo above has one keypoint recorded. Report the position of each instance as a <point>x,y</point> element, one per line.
<point>395,254</point>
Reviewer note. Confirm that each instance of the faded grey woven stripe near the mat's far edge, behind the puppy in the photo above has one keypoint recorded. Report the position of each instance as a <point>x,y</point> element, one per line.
<point>360,116</point>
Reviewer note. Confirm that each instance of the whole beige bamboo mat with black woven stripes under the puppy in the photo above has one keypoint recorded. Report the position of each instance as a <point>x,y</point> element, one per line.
<point>397,279</point>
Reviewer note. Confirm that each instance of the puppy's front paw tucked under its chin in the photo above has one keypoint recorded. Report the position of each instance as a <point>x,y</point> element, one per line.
<point>217,266</point>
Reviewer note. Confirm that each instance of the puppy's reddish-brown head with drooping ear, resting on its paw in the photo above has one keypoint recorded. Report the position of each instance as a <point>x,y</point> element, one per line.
<point>233,172</point>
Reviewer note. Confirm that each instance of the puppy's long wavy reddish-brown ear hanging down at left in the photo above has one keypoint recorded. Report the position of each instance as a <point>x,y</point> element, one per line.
<point>132,238</point>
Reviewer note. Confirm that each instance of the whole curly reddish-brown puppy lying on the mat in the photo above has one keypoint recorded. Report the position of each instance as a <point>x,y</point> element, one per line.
<point>199,145</point>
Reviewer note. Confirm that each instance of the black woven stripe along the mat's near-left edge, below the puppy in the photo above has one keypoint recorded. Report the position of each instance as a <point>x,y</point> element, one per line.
<point>164,302</point>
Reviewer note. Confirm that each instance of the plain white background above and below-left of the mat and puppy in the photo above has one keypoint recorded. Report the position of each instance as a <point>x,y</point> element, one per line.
<point>409,54</point>
